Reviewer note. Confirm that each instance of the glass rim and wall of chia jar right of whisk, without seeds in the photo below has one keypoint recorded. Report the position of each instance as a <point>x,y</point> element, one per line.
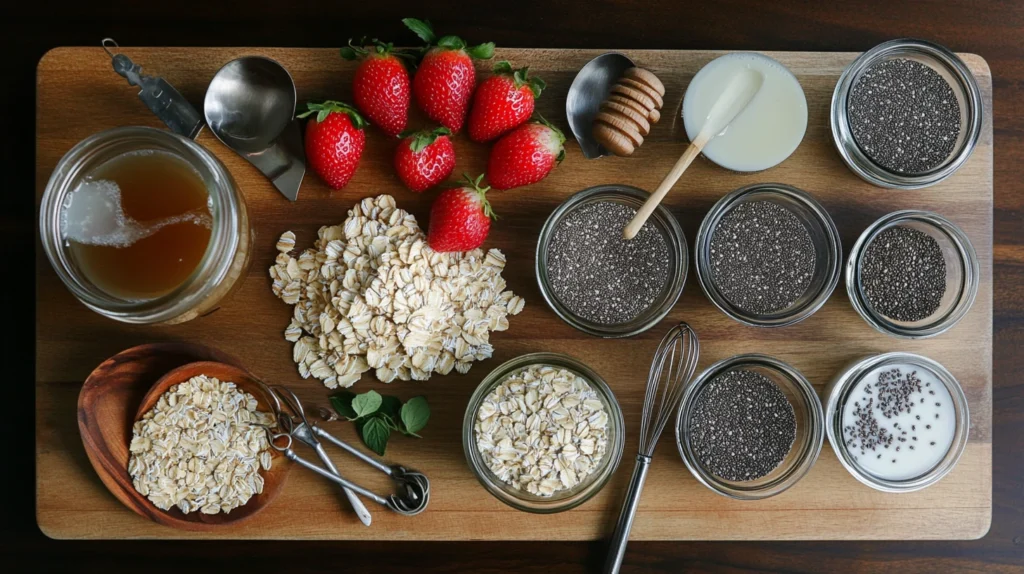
<point>806,447</point>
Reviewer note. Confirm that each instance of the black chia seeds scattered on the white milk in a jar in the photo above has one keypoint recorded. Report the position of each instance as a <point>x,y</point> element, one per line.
<point>898,393</point>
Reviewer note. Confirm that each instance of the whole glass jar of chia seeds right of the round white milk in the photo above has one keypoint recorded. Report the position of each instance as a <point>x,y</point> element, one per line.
<point>940,98</point>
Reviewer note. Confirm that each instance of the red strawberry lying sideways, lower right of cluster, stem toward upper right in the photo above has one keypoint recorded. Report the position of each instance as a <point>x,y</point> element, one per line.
<point>526,156</point>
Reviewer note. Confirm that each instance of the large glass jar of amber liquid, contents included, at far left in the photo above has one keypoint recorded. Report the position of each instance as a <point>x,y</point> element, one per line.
<point>164,236</point>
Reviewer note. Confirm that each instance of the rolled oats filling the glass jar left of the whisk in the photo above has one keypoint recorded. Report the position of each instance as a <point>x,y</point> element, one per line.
<point>542,430</point>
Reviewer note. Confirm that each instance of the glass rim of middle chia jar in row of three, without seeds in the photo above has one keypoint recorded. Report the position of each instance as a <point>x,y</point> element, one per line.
<point>722,208</point>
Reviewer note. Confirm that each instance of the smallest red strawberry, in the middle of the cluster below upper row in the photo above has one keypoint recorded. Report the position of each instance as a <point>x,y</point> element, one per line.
<point>425,159</point>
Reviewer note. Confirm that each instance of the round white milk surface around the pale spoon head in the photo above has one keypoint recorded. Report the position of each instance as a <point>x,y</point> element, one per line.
<point>762,136</point>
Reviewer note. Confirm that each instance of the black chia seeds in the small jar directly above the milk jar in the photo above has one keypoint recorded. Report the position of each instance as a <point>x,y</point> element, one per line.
<point>904,275</point>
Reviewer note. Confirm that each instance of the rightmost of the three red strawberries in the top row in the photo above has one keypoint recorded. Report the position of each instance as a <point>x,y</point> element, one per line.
<point>503,102</point>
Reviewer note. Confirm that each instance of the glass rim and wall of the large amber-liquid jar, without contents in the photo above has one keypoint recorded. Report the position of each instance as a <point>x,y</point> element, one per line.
<point>221,270</point>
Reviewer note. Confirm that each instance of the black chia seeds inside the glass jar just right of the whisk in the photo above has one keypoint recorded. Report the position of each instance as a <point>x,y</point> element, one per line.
<point>743,426</point>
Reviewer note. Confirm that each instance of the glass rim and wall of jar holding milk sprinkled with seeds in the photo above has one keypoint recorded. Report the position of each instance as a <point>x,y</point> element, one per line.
<point>838,392</point>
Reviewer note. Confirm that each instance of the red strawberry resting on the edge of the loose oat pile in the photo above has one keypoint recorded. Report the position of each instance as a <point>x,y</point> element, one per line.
<point>460,218</point>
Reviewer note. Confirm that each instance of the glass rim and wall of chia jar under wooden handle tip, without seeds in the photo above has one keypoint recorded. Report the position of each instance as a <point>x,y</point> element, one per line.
<point>664,222</point>
